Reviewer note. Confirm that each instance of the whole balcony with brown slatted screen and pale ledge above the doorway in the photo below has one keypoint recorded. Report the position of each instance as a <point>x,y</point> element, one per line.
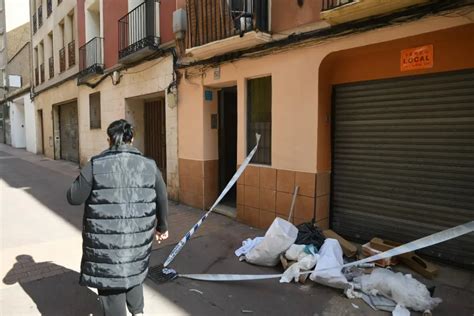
<point>218,27</point>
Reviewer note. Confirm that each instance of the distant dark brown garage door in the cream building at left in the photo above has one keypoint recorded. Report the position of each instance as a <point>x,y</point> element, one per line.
<point>69,130</point>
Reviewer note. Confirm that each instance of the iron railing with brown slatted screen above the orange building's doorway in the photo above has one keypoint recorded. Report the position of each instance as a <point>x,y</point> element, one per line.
<point>213,20</point>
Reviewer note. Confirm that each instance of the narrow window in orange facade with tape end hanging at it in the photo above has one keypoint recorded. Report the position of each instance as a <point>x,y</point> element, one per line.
<point>259,118</point>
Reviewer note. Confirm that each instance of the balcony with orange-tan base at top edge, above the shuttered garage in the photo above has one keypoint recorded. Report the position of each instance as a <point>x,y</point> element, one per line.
<point>342,11</point>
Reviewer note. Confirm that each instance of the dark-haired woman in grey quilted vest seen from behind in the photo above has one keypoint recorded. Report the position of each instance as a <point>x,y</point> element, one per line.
<point>126,205</point>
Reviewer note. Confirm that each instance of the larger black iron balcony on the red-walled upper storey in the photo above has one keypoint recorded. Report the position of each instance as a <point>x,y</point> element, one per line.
<point>138,36</point>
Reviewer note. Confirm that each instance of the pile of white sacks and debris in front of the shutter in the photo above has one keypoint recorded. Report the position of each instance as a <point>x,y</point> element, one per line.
<point>306,252</point>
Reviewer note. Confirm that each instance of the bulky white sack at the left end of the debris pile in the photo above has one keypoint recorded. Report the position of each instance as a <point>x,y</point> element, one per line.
<point>278,238</point>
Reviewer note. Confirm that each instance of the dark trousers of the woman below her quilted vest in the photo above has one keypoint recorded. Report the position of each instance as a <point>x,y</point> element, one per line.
<point>114,301</point>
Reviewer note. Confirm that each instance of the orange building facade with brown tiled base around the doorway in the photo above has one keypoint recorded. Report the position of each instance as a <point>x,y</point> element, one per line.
<point>303,76</point>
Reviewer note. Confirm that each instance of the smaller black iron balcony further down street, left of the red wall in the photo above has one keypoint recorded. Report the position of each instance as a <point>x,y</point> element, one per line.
<point>91,58</point>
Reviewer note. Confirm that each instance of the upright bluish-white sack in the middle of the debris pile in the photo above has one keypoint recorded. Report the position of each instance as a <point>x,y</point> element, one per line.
<point>330,255</point>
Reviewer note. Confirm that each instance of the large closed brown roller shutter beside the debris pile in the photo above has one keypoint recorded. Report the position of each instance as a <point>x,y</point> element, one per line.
<point>403,160</point>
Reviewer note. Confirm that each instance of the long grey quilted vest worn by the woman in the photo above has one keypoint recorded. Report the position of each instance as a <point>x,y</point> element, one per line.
<point>119,220</point>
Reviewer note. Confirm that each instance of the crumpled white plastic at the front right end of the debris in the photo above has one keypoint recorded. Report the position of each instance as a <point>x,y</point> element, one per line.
<point>403,289</point>
